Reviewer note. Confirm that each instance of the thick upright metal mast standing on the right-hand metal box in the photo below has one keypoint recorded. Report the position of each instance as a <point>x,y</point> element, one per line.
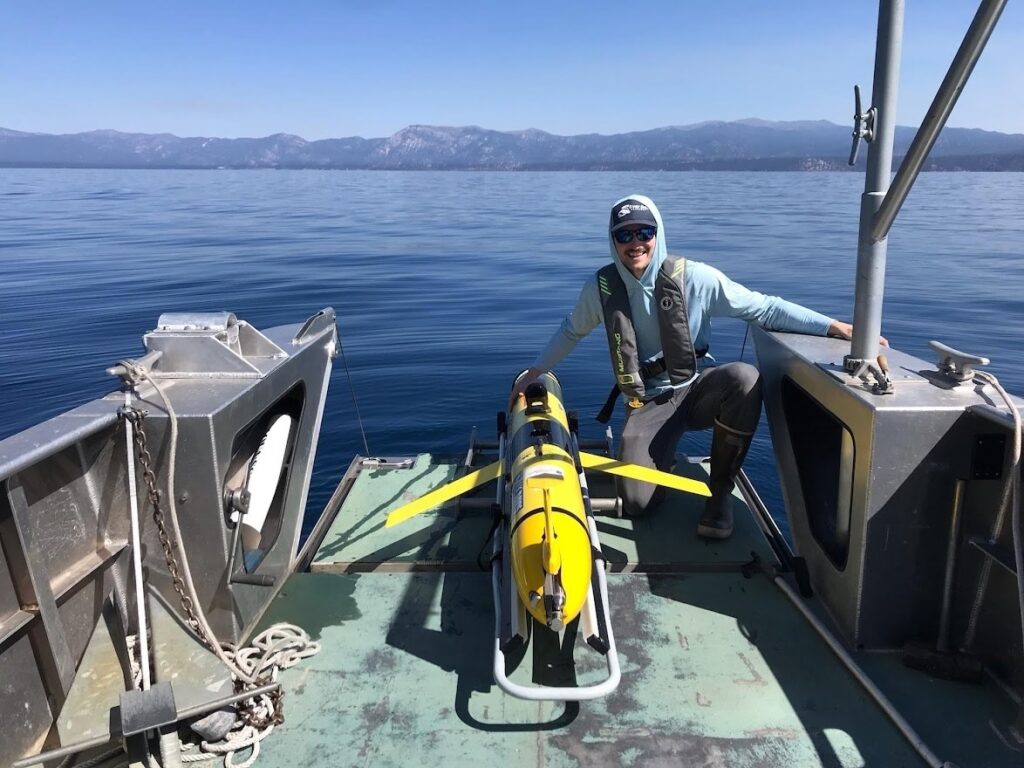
<point>872,254</point>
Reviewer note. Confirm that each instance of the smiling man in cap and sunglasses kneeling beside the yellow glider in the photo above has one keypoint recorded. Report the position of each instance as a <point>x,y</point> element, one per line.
<point>657,311</point>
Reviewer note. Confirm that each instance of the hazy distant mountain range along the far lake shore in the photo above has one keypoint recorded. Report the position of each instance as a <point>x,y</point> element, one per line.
<point>743,146</point>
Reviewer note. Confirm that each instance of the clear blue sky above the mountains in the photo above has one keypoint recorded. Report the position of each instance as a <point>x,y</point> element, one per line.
<point>342,69</point>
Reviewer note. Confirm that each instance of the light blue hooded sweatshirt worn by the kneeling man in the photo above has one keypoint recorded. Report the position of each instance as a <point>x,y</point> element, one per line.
<point>709,294</point>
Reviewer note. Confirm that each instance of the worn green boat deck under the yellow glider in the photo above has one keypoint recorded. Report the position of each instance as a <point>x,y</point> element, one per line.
<point>718,667</point>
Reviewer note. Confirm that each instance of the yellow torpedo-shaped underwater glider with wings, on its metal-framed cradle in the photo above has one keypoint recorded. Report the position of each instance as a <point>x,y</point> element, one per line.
<point>547,560</point>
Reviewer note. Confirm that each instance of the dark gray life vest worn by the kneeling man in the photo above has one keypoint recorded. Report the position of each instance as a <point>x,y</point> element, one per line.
<point>677,347</point>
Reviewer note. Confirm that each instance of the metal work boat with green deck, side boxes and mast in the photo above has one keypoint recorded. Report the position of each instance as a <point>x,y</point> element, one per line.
<point>897,476</point>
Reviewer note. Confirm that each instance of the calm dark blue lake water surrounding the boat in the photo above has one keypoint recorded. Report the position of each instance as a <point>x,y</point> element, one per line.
<point>447,284</point>
